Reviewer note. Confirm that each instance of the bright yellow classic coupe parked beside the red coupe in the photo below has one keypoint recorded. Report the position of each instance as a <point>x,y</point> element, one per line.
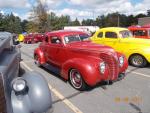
<point>136,50</point>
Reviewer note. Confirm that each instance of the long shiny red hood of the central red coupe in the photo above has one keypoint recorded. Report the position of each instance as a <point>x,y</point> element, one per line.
<point>89,47</point>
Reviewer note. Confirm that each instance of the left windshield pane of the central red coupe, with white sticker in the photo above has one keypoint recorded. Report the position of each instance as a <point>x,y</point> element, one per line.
<point>72,38</point>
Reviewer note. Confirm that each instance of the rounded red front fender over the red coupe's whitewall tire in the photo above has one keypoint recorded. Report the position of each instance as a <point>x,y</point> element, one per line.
<point>87,67</point>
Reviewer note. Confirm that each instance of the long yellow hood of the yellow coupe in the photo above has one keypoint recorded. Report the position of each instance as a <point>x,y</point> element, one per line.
<point>136,41</point>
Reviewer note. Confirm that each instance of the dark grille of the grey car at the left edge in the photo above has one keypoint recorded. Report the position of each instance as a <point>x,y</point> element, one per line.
<point>2,97</point>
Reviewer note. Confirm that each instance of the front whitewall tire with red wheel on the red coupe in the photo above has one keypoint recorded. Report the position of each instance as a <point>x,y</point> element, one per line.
<point>81,85</point>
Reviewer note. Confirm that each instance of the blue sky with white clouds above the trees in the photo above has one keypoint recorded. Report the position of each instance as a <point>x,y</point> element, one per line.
<point>81,9</point>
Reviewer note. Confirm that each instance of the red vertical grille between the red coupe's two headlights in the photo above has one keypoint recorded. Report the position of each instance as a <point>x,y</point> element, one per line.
<point>112,61</point>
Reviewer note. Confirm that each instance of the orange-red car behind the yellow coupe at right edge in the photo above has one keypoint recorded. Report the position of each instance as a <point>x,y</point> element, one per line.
<point>140,32</point>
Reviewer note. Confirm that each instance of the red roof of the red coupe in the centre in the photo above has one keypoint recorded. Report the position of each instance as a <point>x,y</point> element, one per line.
<point>64,32</point>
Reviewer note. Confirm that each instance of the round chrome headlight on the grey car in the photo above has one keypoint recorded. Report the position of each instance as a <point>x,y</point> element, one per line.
<point>19,85</point>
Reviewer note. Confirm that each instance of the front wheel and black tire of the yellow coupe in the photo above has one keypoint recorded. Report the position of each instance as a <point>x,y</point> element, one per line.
<point>137,60</point>
